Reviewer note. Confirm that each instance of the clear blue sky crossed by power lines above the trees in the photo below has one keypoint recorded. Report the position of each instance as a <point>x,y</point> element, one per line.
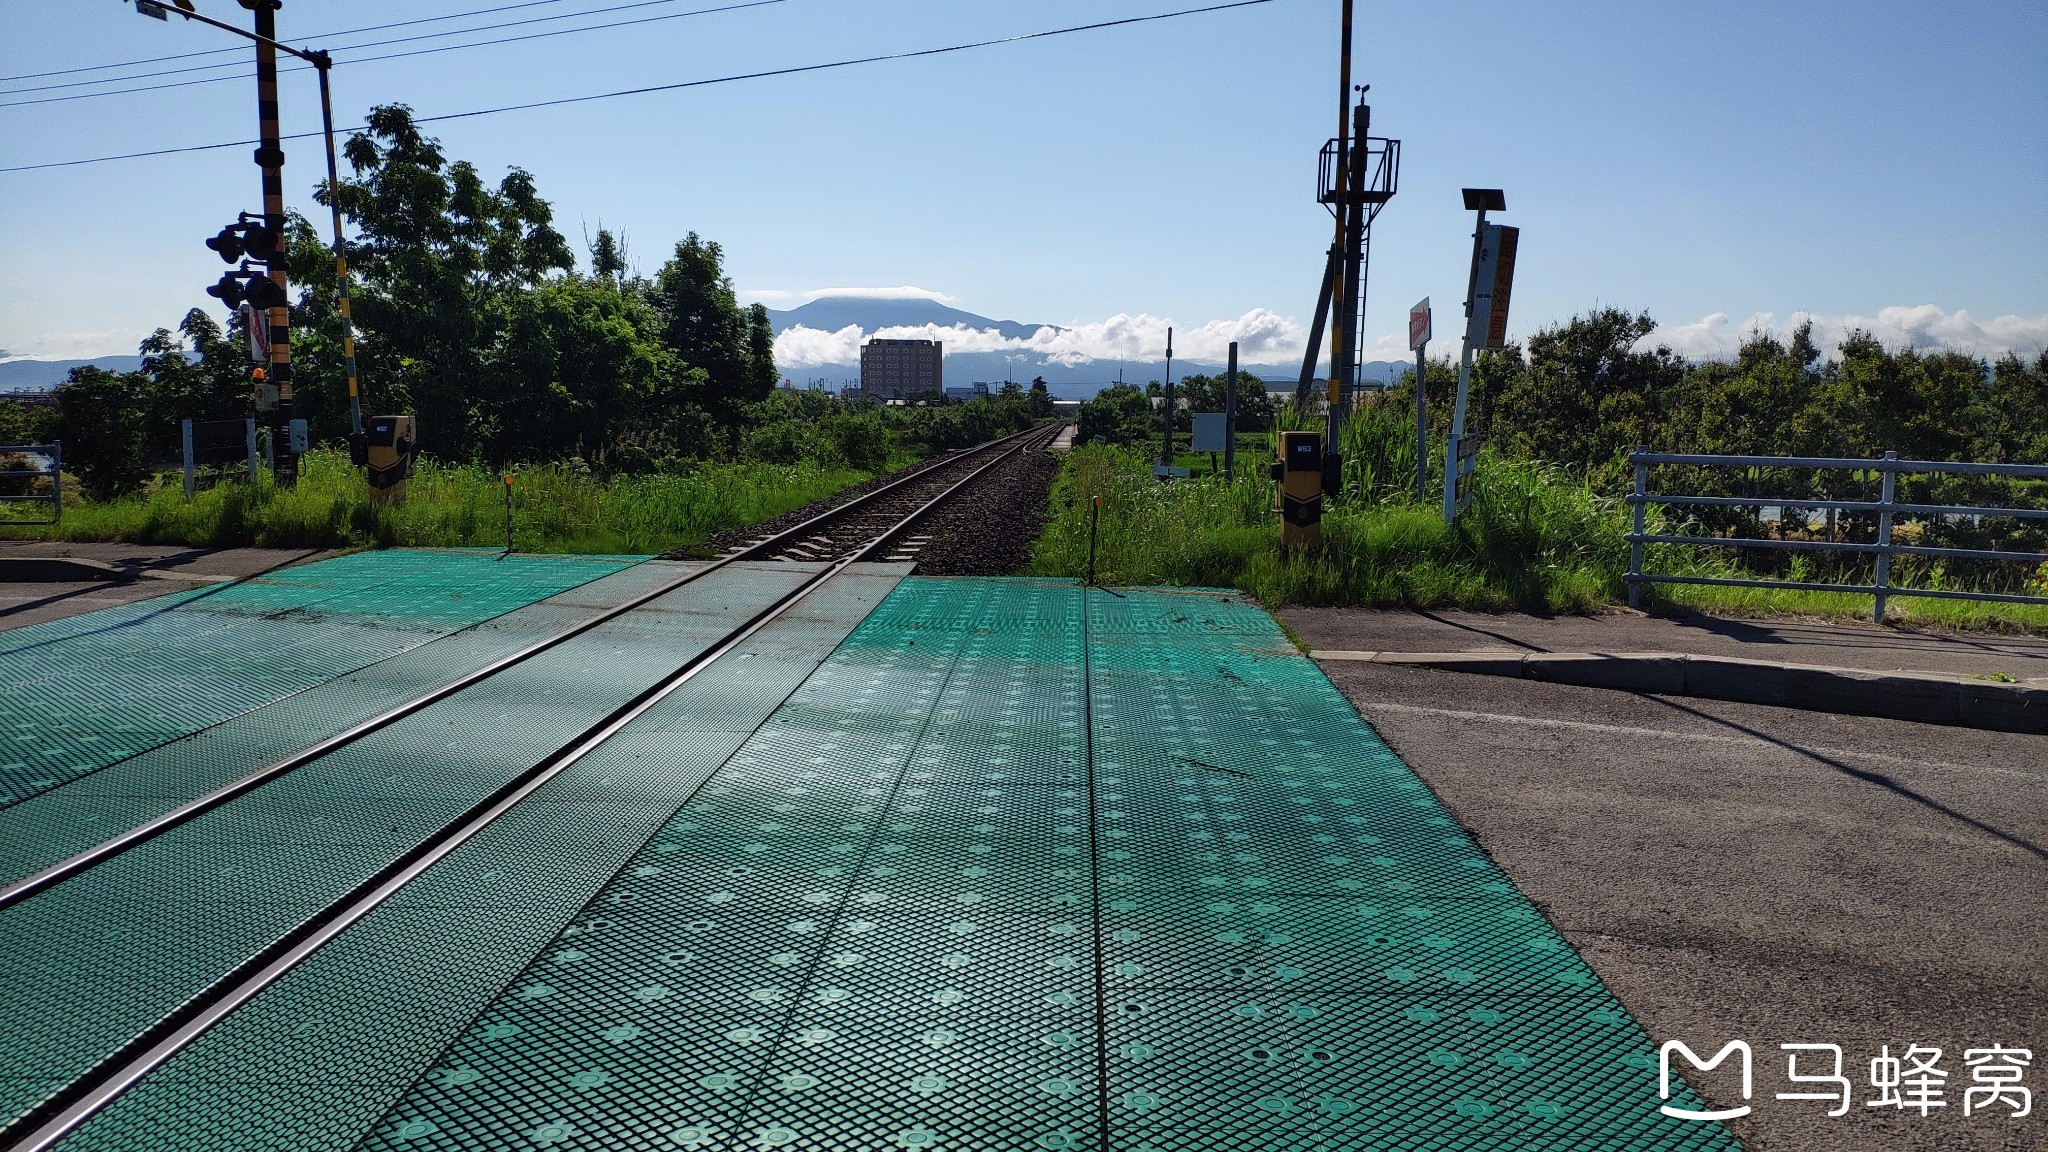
<point>1725,161</point>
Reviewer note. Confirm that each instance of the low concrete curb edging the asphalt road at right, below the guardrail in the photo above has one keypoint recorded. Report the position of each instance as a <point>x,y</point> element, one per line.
<point>1926,698</point>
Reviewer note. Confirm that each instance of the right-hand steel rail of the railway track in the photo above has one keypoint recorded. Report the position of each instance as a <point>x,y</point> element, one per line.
<point>60,1116</point>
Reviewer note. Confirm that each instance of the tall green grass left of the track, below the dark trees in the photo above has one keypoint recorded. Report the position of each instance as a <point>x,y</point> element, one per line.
<point>554,509</point>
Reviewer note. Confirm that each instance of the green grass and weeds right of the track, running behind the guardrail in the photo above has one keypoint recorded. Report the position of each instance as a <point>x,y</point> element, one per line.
<point>1533,540</point>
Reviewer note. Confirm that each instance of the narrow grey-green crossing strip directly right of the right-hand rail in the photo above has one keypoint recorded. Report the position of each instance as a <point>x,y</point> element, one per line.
<point>318,1059</point>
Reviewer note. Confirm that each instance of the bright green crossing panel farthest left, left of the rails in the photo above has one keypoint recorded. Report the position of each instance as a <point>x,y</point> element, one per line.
<point>89,692</point>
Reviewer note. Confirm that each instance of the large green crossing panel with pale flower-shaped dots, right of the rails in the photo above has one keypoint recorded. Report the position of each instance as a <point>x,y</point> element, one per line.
<point>910,913</point>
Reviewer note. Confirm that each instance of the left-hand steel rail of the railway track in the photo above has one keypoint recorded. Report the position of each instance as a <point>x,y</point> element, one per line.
<point>28,887</point>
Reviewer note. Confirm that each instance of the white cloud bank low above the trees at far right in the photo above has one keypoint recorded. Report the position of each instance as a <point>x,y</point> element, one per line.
<point>1924,327</point>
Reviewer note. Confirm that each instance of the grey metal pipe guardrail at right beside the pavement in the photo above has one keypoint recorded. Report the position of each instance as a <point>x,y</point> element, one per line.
<point>1889,468</point>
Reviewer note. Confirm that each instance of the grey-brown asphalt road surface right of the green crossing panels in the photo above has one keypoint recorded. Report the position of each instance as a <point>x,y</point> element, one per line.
<point>1740,872</point>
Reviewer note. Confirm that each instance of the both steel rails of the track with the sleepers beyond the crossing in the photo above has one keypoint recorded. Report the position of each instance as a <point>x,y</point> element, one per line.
<point>873,528</point>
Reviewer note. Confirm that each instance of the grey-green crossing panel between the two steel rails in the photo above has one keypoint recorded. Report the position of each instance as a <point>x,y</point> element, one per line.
<point>108,954</point>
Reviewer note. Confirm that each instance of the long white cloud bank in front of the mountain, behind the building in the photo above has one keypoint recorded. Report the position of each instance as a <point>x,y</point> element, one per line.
<point>1263,337</point>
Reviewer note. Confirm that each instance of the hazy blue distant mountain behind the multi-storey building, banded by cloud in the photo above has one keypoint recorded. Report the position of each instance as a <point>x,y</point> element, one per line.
<point>1070,382</point>
